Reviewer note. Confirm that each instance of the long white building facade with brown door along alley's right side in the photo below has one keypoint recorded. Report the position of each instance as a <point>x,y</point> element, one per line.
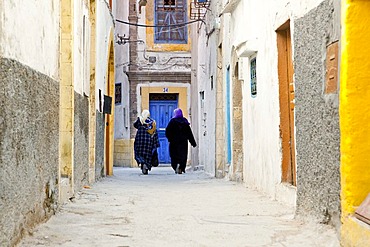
<point>247,50</point>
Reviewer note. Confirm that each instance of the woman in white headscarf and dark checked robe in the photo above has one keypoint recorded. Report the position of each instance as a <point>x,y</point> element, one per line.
<point>146,141</point>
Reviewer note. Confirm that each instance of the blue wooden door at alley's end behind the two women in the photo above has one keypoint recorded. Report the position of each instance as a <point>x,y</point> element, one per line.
<point>161,111</point>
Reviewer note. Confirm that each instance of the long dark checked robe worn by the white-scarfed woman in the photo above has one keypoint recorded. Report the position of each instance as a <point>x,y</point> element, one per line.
<point>144,144</point>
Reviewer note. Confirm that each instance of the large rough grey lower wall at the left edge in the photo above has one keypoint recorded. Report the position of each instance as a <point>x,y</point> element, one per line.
<point>28,148</point>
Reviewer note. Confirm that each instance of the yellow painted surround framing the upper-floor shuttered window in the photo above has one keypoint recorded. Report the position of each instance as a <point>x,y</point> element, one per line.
<point>151,46</point>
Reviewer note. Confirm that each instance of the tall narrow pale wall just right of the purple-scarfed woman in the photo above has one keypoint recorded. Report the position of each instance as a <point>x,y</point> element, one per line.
<point>204,94</point>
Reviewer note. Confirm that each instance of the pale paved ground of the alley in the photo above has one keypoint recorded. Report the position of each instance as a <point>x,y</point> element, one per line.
<point>165,209</point>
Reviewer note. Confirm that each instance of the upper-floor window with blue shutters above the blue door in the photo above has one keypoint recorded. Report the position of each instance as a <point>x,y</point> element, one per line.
<point>170,12</point>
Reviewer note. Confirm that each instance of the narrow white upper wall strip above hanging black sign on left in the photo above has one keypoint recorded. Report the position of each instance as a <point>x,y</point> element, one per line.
<point>104,28</point>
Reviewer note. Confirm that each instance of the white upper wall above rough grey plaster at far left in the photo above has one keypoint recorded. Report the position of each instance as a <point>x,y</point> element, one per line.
<point>30,34</point>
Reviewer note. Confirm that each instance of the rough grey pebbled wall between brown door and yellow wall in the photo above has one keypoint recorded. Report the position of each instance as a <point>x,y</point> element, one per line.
<point>317,118</point>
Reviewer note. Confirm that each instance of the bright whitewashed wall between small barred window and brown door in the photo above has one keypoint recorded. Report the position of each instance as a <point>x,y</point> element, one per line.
<point>252,27</point>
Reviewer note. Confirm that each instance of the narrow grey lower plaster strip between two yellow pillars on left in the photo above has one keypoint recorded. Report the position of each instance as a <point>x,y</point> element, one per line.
<point>81,141</point>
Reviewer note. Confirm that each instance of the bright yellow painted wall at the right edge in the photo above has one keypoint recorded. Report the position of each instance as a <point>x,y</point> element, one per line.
<point>355,118</point>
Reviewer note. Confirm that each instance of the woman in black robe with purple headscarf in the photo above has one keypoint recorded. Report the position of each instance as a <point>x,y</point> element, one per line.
<point>178,133</point>
